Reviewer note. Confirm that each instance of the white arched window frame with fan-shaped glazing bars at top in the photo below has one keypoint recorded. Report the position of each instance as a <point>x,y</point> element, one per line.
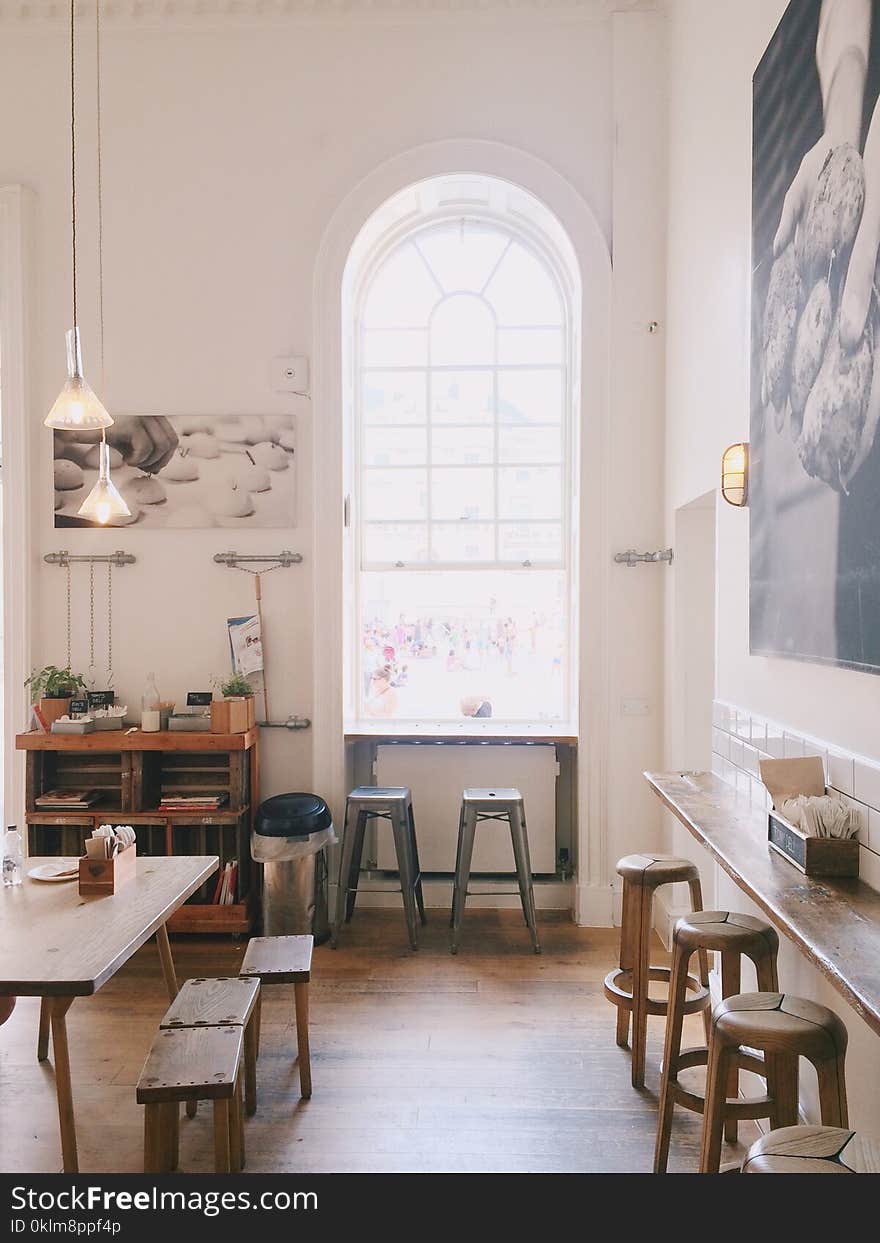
<point>521,222</point>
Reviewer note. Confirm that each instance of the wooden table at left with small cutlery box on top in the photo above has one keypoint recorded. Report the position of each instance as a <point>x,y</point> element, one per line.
<point>59,947</point>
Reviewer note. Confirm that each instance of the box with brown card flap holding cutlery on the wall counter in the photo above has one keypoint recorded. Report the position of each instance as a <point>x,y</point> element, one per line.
<point>814,857</point>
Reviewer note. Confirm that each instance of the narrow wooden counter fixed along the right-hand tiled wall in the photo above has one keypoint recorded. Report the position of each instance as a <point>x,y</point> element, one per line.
<point>835,923</point>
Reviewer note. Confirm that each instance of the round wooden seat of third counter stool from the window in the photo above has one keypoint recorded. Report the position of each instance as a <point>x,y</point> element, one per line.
<point>781,1024</point>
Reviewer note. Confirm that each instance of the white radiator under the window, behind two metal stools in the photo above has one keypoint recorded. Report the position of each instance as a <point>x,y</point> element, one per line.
<point>437,775</point>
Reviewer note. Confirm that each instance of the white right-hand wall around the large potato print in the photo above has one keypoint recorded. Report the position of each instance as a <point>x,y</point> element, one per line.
<point>714,50</point>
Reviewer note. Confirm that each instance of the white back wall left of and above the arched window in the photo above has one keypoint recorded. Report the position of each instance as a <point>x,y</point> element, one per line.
<point>227,150</point>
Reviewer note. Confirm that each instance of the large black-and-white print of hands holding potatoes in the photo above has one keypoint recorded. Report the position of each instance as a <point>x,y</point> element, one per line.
<point>815,464</point>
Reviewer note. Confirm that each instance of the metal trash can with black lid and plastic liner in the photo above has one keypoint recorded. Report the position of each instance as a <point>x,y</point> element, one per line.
<point>291,833</point>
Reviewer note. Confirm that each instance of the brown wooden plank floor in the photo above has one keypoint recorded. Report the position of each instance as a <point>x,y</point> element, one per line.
<point>494,1061</point>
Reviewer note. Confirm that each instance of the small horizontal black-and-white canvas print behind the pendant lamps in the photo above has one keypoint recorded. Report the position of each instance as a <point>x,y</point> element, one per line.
<point>181,472</point>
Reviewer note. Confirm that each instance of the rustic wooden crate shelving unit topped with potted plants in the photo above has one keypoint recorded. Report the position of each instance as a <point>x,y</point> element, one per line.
<point>134,773</point>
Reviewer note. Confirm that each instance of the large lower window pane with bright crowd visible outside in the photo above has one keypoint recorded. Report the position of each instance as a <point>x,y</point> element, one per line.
<point>441,647</point>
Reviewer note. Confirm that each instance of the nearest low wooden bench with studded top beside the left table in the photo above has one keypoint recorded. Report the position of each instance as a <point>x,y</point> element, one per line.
<point>193,1063</point>
